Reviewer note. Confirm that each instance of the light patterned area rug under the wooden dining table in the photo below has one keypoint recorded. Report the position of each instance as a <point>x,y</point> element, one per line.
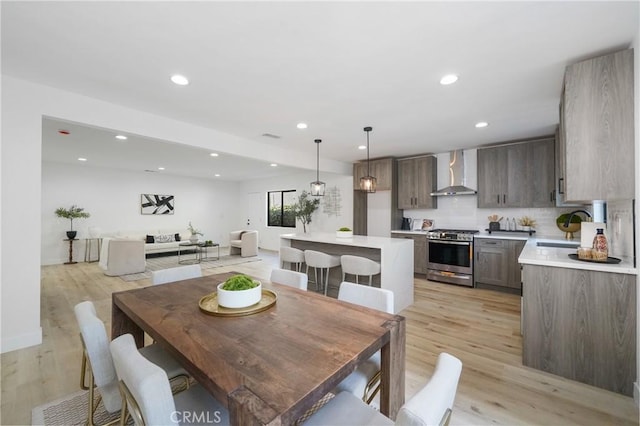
<point>72,410</point>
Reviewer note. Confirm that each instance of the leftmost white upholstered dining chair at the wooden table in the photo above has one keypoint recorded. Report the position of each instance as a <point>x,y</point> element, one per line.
<point>97,357</point>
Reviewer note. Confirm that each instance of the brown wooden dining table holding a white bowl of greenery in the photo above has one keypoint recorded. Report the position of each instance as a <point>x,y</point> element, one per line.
<point>270,367</point>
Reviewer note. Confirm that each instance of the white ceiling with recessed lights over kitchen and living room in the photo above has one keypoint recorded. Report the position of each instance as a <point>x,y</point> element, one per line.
<point>262,67</point>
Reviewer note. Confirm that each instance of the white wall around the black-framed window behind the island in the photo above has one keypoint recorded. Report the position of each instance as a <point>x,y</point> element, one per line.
<point>321,221</point>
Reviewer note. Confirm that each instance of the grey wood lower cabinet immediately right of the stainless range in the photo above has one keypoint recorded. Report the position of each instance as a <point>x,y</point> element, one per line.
<point>496,264</point>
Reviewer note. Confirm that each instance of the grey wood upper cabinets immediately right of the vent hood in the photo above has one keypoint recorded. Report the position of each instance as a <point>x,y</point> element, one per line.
<point>517,175</point>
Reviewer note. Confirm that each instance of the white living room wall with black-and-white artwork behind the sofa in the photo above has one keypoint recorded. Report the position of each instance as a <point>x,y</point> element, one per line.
<point>112,197</point>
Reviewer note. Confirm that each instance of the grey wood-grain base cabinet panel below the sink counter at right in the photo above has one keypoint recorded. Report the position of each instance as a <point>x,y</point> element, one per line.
<point>581,325</point>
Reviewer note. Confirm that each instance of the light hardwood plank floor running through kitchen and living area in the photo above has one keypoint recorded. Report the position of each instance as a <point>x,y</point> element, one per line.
<point>480,327</point>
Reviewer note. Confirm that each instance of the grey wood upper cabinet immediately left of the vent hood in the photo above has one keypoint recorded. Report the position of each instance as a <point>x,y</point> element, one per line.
<point>416,181</point>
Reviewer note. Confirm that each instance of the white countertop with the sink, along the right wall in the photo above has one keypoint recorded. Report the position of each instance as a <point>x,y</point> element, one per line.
<point>532,254</point>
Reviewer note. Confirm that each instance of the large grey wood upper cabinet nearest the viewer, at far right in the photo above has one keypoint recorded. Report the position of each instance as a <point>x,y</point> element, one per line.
<point>596,130</point>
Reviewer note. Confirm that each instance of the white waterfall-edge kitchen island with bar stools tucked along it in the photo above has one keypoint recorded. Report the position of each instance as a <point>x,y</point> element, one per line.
<point>394,255</point>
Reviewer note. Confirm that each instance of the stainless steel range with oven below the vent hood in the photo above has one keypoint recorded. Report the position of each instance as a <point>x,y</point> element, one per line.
<point>451,256</point>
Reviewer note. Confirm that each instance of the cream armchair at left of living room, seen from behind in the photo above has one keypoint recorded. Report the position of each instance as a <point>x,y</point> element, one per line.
<point>122,256</point>
